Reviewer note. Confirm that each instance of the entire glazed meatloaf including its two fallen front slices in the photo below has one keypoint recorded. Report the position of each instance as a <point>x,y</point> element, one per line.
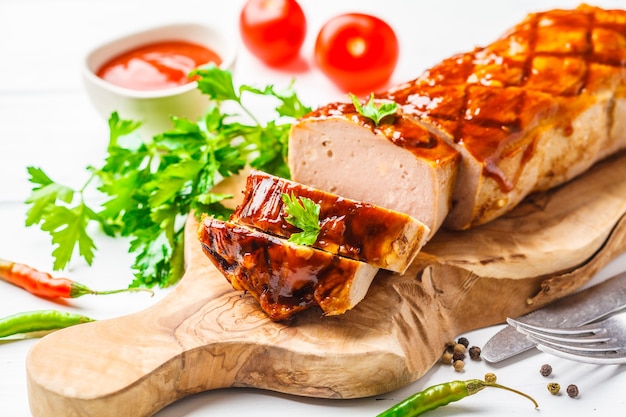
<point>471,137</point>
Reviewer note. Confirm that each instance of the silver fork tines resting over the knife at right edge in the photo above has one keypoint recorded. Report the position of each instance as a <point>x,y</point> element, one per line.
<point>602,342</point>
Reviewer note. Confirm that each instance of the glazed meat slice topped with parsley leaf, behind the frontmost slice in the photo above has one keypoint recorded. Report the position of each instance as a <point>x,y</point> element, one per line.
<point>365,232</point>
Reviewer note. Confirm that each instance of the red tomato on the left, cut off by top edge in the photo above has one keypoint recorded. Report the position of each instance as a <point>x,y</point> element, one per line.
<point>273,30</point>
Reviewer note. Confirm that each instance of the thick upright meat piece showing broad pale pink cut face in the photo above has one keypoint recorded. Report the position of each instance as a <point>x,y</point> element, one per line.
<point>402,166</point>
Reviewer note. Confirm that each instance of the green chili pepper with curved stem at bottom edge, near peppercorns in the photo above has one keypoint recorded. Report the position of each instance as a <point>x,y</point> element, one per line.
<point>442,394</point>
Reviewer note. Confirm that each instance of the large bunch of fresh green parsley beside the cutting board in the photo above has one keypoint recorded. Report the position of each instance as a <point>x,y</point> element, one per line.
<point>151,185</point>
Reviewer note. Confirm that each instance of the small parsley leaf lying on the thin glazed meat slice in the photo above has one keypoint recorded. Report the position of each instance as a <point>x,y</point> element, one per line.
<point>303,213</point>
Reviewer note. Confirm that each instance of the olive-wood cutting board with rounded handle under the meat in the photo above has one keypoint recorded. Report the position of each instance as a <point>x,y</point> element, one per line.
<point>204,335</point>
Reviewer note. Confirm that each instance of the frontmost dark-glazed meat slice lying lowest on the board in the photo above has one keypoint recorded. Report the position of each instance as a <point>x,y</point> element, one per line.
<point>284,277</point>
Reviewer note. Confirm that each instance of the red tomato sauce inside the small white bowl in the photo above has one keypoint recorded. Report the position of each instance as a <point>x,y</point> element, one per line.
<point>157,65</point>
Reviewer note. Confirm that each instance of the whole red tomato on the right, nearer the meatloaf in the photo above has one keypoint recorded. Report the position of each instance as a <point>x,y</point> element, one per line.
<point>357,51</point>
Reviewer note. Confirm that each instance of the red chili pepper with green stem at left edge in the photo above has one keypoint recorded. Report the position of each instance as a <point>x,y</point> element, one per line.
<point>45,285</point>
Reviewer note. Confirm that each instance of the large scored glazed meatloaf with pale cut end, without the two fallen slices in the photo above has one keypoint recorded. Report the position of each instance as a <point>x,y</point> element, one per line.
<point>478,132</point>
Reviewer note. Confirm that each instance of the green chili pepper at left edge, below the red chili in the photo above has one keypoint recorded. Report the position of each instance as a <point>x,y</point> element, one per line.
<point>39,320</point>
